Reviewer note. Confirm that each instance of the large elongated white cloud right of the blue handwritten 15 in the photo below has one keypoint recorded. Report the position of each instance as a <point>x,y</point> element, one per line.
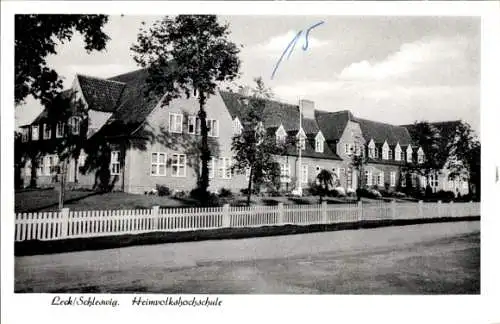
<point>422,59</point>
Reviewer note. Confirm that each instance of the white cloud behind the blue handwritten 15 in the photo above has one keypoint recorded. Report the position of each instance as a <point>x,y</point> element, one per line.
<point>277,44</point>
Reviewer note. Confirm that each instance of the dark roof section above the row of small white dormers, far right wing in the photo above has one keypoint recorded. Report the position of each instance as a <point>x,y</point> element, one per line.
<point>381,132</point>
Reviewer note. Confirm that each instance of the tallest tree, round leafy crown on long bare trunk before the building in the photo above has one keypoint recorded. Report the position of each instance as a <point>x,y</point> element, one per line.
<point>188,55</point>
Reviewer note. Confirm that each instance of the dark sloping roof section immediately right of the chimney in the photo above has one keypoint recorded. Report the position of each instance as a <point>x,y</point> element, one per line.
<point>332,124</point>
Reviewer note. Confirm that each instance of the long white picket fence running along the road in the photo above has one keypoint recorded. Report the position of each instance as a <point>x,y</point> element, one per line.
<point>77,224</point>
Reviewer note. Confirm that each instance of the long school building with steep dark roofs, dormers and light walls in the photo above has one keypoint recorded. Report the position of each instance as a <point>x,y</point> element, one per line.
<point>148,143</point>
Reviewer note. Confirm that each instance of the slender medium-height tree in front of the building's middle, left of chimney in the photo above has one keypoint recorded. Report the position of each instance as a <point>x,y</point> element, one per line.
<point>254,149</point>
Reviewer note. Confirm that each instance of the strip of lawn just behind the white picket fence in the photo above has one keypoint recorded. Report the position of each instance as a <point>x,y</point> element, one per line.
<point>47,200</point>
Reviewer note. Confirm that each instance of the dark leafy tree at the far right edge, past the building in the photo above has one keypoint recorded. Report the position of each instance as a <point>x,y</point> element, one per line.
<point>465,157</point>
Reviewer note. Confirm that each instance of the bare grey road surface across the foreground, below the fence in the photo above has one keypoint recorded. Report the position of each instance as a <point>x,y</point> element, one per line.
<point>438,258</point>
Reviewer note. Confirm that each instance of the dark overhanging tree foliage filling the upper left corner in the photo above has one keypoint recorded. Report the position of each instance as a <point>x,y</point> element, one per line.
<point>36,37</point>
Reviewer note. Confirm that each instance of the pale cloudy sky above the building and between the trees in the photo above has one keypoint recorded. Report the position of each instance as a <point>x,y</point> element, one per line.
<point>385,68</point>
